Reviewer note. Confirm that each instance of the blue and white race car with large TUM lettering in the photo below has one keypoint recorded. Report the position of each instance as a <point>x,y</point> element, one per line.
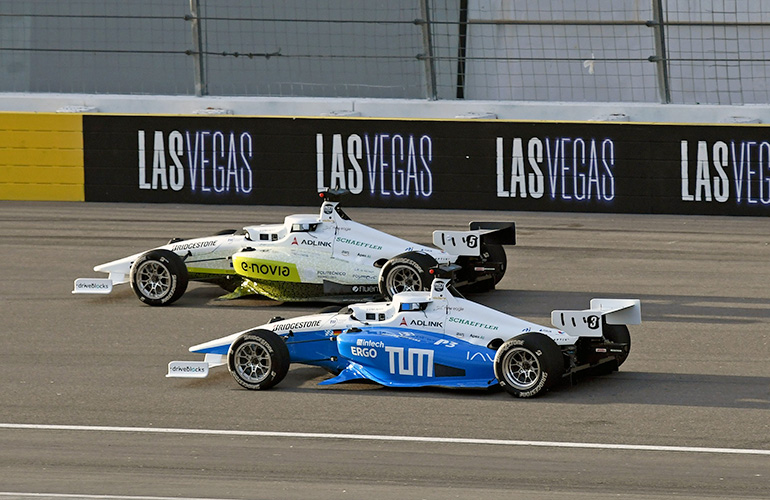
<point>427,338</point>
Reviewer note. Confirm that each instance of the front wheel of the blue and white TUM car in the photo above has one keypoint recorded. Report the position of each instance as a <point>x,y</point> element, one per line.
<point>258,359</point>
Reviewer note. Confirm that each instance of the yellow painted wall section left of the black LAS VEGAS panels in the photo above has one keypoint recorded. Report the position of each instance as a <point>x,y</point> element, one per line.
<point>41,157</point>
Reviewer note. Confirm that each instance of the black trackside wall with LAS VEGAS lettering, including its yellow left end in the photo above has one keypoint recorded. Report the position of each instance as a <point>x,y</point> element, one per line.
<point>588,166</point>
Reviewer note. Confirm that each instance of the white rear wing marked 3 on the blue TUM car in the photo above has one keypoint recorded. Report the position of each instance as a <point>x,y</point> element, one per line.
<point>588,323</point>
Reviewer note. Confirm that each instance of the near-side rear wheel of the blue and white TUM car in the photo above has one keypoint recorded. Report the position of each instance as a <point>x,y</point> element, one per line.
<point>528,365</point>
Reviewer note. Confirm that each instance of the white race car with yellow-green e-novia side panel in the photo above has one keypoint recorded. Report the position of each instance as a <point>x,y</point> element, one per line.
<point>309,257</point>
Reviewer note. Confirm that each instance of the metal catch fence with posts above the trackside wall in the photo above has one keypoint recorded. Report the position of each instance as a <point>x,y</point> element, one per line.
<point>669,51</point>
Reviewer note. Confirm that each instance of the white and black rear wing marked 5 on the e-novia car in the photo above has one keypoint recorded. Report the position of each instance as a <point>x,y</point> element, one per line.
<point>469,243</point>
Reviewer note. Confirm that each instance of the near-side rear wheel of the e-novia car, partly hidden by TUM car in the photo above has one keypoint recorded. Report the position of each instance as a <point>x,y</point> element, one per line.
<point>408,272</point>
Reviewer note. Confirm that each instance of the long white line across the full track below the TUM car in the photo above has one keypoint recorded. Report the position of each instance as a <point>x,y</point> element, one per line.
<point>371,437</point>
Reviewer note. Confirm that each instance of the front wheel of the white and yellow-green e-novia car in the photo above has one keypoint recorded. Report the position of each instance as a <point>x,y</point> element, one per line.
<point>159,277</point>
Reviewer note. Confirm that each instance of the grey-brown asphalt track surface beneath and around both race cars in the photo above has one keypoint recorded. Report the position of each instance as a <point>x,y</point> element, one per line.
<point>86,410</point>
